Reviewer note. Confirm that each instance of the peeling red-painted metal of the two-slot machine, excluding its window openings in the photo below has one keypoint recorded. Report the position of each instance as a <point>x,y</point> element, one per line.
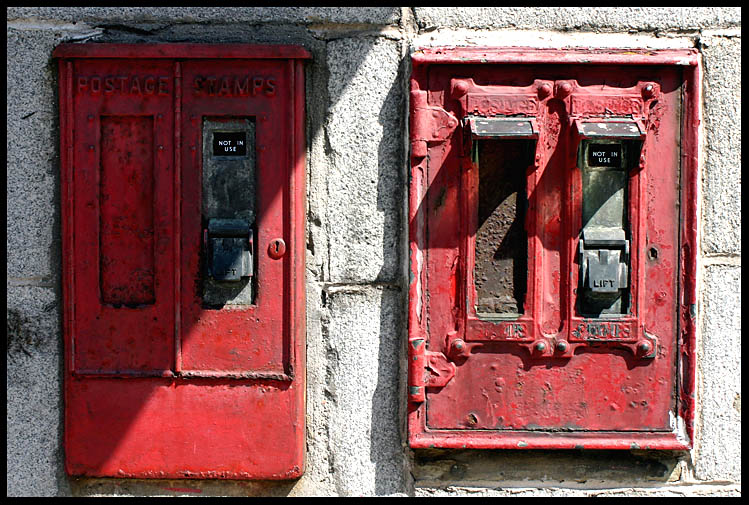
<point>562,406</point>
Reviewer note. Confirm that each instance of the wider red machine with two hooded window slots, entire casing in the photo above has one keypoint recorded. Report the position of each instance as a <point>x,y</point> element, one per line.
<point>552,249</point>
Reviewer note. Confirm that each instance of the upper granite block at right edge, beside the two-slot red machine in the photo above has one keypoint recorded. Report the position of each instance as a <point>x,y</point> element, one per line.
<point>721,211</point>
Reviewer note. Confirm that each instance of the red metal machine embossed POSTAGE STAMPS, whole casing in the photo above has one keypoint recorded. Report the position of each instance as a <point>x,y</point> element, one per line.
<point>183,238</point>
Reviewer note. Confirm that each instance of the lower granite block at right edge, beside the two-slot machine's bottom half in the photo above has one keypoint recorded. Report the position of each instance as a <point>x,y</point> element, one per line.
<point>719,435</point>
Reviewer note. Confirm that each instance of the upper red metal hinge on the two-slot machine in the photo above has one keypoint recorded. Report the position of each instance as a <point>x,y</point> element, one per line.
<point>429,123</point>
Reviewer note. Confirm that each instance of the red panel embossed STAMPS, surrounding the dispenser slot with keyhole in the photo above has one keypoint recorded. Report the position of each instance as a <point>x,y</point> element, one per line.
<point>247,339</point>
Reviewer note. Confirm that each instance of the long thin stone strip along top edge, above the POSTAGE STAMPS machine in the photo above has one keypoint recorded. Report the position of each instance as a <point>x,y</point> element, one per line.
<point>306,15</point>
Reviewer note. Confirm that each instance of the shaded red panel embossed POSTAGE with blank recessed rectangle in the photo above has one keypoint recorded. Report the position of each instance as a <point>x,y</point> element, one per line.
<point>122,187</point>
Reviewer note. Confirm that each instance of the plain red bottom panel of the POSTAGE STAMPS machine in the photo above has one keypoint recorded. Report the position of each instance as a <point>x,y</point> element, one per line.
<point>201,428</point>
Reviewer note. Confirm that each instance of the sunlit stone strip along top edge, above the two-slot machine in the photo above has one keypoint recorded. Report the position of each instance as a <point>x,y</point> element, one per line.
<point>621,19</point>
